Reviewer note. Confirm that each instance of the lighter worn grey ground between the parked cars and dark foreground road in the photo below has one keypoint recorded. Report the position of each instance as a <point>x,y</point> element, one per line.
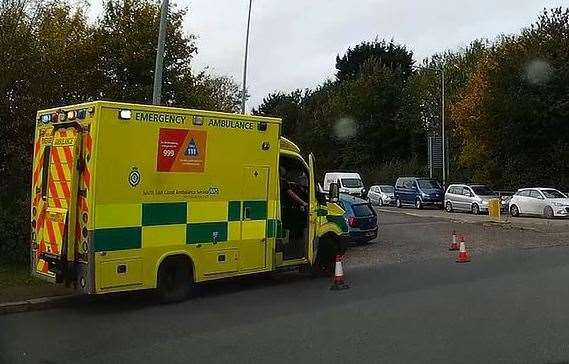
<point>410,238</point>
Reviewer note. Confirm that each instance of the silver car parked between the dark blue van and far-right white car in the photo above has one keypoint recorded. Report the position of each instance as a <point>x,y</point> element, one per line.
<point>473,198</point>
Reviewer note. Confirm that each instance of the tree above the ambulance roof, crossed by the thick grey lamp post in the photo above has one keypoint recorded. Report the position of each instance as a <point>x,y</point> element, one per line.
<point>127,37</point>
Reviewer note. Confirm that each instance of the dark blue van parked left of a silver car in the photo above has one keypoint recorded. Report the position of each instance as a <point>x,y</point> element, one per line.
<point>418,192</point>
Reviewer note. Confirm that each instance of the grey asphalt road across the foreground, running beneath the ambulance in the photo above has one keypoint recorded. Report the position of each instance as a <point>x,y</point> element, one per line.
<point>508,305</point>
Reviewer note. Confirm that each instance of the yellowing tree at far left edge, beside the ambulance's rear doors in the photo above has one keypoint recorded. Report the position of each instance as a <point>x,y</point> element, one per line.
<point>40,41</point>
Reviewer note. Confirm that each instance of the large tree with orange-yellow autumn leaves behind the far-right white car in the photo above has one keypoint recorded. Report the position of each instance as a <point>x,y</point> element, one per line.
<point>512,115</point>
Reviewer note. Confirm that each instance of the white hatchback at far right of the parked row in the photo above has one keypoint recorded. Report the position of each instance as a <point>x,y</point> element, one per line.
<point>547,202</point>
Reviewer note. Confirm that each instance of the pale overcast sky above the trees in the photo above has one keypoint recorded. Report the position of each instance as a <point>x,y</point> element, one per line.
<point>294,43</point>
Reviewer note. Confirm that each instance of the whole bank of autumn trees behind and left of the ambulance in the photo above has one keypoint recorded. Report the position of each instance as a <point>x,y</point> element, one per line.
<point>53,54</point>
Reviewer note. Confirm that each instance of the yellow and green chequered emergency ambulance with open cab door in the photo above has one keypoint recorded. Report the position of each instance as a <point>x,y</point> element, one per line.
<point>127,197</point>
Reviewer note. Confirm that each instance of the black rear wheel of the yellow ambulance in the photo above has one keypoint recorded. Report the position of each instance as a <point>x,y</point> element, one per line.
<point>174,279</point>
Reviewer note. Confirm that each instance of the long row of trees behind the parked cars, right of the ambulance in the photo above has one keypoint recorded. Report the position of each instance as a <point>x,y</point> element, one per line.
<point>507,108</point>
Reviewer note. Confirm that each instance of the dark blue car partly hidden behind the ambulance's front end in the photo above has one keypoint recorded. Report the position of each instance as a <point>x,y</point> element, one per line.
<point>361,217</point>
